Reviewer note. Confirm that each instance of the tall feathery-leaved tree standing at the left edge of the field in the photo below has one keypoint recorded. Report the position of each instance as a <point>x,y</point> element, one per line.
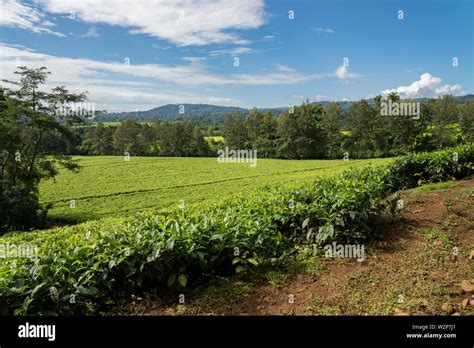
<point>27,114</point>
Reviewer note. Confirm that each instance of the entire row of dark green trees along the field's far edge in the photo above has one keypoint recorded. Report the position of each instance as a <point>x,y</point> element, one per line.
<point>308,131</point>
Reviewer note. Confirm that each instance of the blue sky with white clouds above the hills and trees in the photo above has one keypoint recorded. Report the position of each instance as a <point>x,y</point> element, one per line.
<point>140,54</point>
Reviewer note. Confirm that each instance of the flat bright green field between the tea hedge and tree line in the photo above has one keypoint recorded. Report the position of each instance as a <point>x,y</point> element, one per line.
<point>111,186</point>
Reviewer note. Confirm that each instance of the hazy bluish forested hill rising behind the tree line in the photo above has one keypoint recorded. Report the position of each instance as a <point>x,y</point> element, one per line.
<point>213,114</point>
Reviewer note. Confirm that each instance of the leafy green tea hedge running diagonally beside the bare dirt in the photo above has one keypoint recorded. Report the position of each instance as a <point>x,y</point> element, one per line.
<point>84,269</point>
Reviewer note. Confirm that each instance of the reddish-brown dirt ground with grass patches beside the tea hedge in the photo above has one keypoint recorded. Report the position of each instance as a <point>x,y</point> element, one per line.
<point>416,267</point>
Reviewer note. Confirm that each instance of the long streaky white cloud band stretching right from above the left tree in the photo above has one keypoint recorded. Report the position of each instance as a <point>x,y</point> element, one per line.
<point>194,73</point>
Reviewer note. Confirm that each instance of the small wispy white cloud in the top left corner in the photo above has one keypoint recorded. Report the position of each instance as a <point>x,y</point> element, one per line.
<point>17,15</point>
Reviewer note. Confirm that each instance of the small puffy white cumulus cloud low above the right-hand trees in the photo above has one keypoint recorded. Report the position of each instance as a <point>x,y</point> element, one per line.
<point>426,86</point>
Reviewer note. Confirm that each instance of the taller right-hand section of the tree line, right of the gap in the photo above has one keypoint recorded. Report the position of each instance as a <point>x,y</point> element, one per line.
<point>362,131</point>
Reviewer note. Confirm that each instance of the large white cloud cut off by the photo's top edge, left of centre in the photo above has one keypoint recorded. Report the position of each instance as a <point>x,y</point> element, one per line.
<point>183,22</point>
